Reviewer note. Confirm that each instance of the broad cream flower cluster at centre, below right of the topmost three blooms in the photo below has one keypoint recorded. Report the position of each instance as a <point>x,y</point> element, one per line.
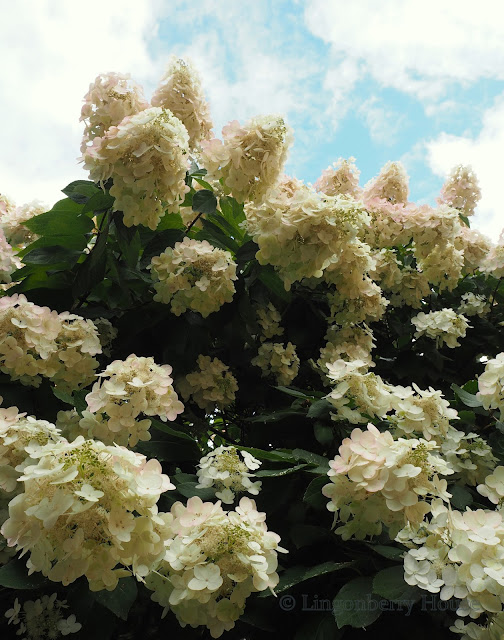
<point>302,232</point>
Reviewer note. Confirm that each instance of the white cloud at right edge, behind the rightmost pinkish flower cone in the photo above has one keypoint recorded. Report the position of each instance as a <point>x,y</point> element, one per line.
<point>484,154</point>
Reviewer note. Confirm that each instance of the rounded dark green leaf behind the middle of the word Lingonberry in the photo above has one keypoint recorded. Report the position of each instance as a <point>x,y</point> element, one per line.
<point>356,605</point>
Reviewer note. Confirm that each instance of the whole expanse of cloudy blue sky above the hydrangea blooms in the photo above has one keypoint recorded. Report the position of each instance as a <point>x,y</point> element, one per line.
<point>421,81</point>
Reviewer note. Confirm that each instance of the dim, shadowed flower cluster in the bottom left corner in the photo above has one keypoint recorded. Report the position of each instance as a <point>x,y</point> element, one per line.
<point>42,618</point>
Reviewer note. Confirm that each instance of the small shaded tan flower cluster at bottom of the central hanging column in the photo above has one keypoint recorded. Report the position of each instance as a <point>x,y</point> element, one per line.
<point>351,342</point>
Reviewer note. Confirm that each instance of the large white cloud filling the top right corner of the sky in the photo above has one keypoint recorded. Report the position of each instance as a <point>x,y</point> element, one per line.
<point>415,47</point>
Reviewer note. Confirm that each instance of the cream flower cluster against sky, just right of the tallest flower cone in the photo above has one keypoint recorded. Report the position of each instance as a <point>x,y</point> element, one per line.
<point>250,159</point>
